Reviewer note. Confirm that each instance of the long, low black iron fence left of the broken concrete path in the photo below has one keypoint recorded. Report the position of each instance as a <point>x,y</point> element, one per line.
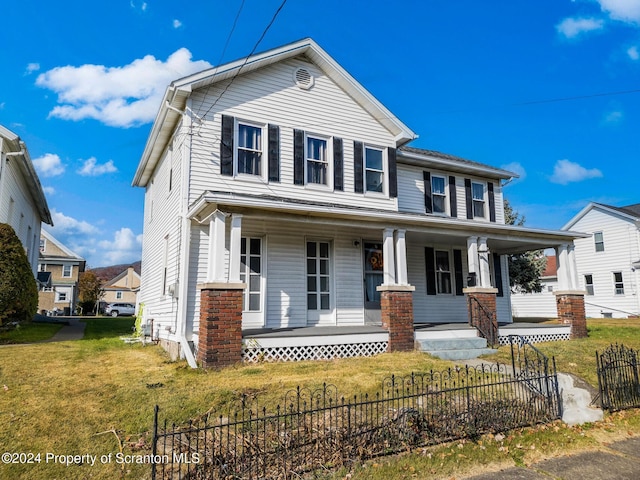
<point>320,430</point>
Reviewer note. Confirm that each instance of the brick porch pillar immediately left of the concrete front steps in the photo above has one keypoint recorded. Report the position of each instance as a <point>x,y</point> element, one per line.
<point>396,303</point>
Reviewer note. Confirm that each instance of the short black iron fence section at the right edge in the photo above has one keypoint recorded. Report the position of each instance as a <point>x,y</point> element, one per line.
<point>618,378</point>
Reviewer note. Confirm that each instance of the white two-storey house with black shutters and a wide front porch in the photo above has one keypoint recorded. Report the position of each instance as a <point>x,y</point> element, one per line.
<point>280,175</point>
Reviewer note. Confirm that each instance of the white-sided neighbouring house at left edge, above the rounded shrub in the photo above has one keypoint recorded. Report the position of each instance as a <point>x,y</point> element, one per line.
<point>22,201</point>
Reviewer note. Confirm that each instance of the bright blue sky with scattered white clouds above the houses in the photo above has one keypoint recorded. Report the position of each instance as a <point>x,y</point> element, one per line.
<point>549,89</point>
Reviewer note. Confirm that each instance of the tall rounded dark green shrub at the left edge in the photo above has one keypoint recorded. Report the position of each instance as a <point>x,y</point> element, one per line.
<point>18,290</point>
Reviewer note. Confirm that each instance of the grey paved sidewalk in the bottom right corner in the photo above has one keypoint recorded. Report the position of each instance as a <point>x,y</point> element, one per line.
<point>617,461</point>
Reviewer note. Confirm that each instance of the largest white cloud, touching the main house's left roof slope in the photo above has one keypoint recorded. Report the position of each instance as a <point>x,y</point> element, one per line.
<point>117,96</point>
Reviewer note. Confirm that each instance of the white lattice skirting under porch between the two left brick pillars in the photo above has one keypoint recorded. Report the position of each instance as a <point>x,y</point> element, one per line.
<point>311,352</point>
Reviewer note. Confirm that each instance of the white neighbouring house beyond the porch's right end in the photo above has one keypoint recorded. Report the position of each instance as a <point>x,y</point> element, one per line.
<point>607,263</point>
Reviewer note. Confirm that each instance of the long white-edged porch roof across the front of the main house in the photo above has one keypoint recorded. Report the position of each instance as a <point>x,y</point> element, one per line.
<point>504,239</point>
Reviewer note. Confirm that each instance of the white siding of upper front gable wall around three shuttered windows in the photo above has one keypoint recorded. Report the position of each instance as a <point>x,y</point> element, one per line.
<point>270,96</point>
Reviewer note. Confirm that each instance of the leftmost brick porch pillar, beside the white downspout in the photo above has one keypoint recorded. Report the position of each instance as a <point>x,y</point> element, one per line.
<point>220,331</point>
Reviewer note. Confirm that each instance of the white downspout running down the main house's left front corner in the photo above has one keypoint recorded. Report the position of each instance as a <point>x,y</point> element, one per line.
<point>185,249</point>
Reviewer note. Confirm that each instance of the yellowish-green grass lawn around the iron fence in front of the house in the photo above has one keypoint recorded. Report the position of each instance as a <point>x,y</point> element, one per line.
<point>96,396</point>
